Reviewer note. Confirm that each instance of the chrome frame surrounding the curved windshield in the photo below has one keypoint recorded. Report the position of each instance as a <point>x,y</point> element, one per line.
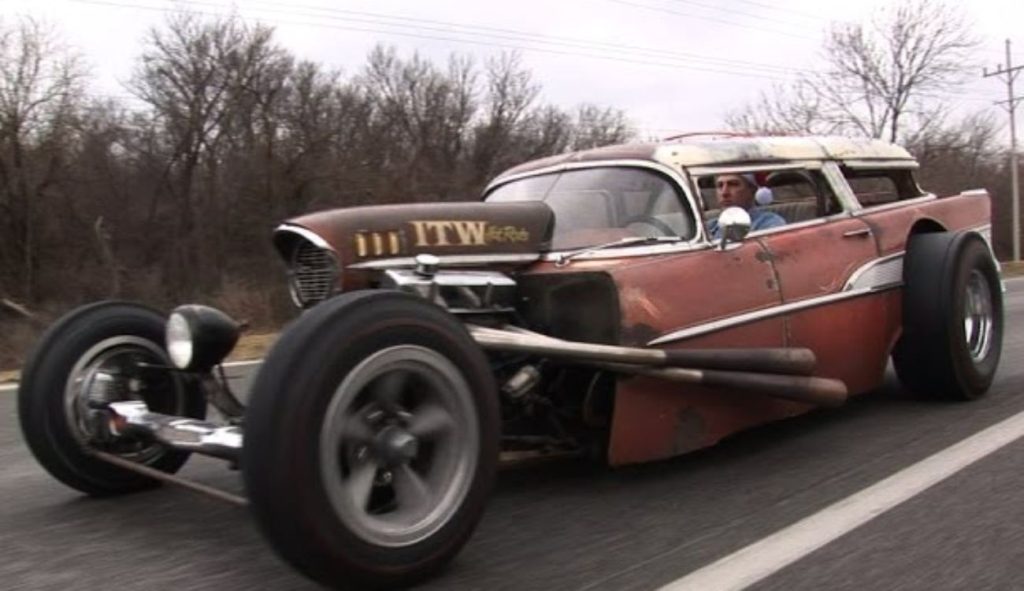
<point>678,181</point>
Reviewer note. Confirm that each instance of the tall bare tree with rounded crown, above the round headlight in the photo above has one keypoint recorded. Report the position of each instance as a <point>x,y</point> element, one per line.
<point>200,78</point>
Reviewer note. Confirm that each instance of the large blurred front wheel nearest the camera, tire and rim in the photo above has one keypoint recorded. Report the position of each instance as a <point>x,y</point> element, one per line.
<point>371,441</point>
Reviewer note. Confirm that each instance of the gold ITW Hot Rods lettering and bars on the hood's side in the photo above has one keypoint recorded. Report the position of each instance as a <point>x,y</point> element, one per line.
<point>439,234</point>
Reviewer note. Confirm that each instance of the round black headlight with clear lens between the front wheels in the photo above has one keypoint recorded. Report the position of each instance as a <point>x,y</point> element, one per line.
<point>200,337</point>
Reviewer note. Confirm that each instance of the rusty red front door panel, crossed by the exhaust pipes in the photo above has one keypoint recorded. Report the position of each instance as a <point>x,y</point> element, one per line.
<point>656,419</point>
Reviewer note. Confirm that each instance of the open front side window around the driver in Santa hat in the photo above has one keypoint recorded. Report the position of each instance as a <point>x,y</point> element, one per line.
<point>796,195</point>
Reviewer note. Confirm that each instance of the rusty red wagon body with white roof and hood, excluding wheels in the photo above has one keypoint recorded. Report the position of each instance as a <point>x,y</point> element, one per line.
<point>794,286</point>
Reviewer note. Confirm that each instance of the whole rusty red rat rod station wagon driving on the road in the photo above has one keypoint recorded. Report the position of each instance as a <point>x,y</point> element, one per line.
<point>582,308</point>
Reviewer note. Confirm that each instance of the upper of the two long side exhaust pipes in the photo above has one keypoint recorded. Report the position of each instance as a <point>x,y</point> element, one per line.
<point>797,362</point>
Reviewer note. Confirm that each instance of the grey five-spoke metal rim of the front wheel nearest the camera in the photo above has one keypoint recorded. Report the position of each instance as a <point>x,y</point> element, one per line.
<point>400,446</point>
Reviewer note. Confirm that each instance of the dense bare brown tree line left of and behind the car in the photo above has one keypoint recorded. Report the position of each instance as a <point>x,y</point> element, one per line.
<point>173,195</point>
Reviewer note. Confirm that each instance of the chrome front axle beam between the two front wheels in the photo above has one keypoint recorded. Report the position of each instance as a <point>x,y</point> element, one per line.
<point>178,433</point>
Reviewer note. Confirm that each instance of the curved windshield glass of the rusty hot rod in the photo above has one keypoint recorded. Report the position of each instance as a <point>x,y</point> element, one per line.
<point>596,206</point>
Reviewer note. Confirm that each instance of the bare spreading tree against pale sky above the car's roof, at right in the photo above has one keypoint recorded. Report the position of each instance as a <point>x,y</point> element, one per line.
<point>878,76</point>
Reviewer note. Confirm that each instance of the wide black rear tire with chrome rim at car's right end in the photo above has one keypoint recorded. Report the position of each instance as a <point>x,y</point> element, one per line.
<point>953,317</point>
